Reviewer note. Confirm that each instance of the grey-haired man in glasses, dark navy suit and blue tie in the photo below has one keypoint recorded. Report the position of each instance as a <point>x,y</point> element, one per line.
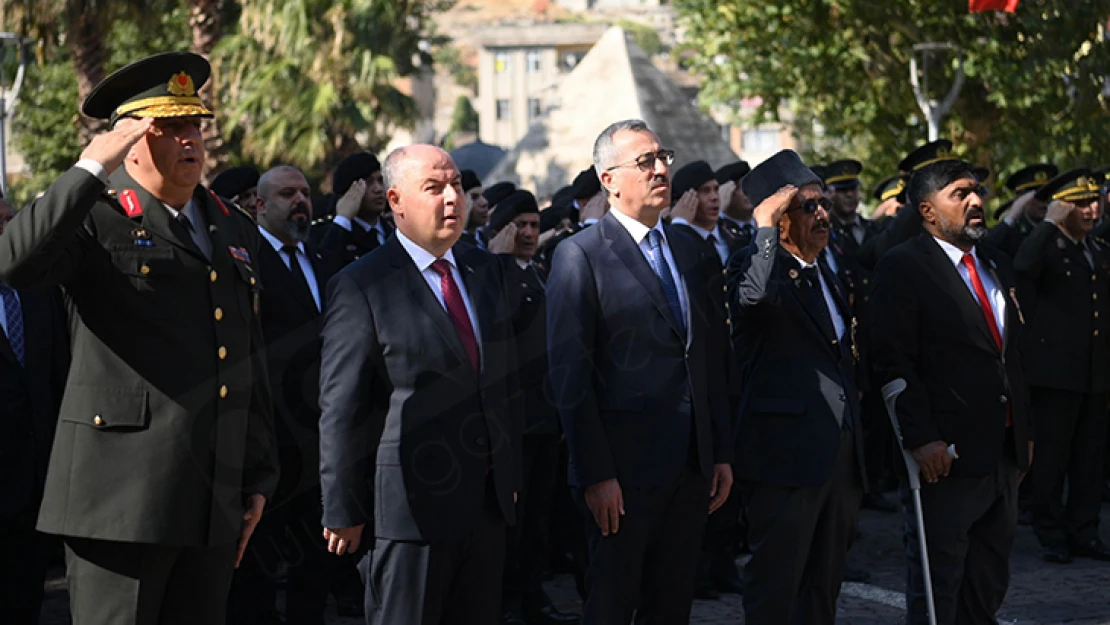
<point>637,350</point>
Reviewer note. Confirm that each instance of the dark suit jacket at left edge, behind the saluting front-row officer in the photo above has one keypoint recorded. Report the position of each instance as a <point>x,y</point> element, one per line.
<point>31,395</point>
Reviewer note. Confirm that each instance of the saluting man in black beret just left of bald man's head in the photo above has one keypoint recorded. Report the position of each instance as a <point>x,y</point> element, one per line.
<point>358,228</point>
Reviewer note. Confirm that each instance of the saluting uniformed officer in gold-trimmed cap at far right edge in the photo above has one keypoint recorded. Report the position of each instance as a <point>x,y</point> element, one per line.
<point>1067,359</point>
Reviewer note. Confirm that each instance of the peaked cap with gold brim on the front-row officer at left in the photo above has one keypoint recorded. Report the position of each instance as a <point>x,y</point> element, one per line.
<point>163,86</point>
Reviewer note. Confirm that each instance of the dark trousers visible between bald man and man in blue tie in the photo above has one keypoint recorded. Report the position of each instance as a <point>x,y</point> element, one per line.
<point>528,541</point>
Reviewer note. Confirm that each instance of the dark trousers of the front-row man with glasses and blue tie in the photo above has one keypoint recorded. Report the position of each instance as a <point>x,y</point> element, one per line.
<point>648,567</point>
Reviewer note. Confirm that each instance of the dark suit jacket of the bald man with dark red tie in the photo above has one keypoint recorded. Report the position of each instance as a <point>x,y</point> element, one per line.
<point>409,431</point>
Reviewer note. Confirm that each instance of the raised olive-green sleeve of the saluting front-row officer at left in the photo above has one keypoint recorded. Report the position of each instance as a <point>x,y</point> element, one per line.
<point>47,244</point>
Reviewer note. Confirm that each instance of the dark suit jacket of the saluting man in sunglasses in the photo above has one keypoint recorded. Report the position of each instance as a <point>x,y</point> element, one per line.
<point>798,378</point>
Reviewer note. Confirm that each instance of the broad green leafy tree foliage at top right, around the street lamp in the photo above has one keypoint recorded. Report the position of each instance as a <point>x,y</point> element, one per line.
<point>1037,88</point>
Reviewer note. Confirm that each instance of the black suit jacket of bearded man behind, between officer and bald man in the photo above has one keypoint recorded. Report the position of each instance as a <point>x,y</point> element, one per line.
<point>291,327</point>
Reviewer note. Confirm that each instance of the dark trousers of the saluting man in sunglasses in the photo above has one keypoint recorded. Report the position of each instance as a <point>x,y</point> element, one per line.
<point>800,540</point>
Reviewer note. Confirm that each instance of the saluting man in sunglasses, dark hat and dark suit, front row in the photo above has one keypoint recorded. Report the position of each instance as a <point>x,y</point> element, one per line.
<point>800,434</point>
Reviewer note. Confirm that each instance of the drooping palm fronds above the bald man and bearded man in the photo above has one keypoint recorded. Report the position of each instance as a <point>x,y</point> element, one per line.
<point>307,83</point>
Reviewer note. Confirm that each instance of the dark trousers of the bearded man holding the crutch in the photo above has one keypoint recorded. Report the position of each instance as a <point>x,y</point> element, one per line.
<point>970,526</point>
